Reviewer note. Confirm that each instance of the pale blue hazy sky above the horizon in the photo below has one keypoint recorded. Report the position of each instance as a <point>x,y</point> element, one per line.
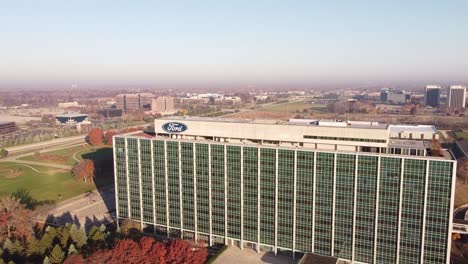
<point>225,41</point>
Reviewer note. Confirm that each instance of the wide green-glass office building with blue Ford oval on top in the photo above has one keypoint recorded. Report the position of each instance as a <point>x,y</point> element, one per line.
<point>357,191</point>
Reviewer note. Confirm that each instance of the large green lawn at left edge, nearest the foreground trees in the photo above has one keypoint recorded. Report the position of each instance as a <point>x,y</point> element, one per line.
<point>46,185</point>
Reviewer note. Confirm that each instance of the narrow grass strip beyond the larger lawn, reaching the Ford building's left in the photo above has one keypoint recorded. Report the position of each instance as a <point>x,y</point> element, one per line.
<point>65,156</point>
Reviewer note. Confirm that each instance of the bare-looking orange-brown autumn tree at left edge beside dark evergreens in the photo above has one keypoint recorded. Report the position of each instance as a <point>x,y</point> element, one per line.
<point>15,218</point>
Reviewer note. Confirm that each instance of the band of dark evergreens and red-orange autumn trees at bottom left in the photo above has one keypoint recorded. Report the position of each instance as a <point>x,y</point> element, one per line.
<point>23,241</point>
